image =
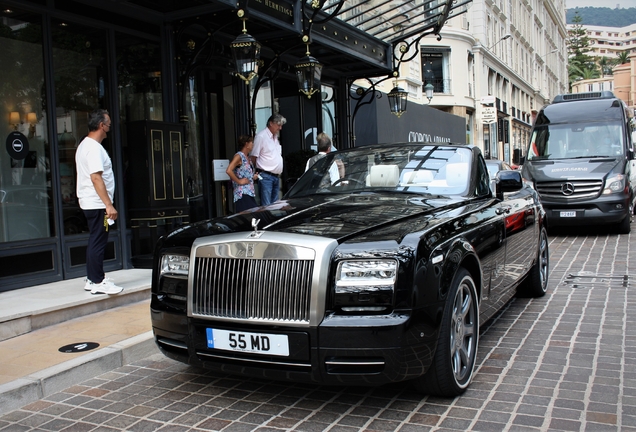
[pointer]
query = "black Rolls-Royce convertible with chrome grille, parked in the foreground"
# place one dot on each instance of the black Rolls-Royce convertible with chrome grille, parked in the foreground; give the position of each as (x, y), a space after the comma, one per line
(381, 273)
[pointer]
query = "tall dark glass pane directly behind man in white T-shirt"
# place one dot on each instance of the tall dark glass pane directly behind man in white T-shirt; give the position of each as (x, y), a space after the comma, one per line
(80, 86)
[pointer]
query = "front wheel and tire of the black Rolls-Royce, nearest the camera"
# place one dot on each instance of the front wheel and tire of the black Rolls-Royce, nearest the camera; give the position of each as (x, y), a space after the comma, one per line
(454, 360)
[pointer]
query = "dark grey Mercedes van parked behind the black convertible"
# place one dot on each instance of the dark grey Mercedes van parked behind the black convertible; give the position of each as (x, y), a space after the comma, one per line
(580, 160)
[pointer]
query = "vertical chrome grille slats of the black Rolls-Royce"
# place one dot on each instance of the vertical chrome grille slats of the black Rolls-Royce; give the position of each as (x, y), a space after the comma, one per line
(260, 289)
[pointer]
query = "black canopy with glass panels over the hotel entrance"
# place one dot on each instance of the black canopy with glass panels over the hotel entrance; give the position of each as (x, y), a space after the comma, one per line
(360, 41)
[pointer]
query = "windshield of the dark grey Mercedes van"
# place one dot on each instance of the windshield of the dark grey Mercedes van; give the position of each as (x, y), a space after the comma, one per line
(582, 140)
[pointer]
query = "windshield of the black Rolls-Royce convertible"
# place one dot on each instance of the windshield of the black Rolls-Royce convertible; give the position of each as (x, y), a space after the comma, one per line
(408, 168)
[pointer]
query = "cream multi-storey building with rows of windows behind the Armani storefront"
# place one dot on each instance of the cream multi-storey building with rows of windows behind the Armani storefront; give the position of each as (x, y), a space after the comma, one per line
(493, 66)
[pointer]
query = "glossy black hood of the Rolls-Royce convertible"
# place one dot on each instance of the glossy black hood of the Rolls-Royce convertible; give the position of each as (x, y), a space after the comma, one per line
(339, 217)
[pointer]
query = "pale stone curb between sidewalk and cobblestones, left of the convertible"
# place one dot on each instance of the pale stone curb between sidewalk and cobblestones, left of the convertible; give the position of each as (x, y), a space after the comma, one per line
(23, 391)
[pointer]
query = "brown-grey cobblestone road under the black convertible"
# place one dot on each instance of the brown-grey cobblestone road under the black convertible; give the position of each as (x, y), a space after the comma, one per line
(562, 362)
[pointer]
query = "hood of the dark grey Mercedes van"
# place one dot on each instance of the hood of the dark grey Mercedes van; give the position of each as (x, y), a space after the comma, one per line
(571, 169)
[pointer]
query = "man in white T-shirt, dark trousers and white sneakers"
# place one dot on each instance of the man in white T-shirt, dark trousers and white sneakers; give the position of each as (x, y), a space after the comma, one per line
(95, 191)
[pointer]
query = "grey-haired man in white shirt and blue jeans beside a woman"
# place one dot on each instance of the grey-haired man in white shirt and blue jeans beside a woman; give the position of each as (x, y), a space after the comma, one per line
(267, 157)
